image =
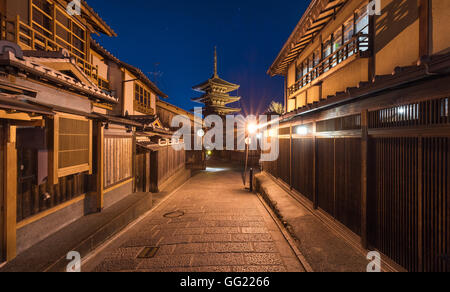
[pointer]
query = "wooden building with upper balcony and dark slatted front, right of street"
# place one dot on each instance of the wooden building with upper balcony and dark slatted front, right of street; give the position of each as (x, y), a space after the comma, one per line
(366, 138)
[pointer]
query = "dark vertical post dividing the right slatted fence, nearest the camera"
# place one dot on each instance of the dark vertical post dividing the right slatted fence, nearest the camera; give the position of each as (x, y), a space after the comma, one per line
(364, 178)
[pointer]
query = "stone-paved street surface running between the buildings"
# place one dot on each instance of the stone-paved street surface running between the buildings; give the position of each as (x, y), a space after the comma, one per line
(224, 229)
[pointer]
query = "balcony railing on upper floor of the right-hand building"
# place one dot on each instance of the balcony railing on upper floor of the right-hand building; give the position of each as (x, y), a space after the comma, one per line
(359, 43)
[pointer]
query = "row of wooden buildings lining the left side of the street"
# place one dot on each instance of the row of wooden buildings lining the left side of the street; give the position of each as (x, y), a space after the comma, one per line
(70, 116)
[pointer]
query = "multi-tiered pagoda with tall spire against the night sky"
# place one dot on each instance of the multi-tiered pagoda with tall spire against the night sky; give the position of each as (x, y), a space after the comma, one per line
(216, 94)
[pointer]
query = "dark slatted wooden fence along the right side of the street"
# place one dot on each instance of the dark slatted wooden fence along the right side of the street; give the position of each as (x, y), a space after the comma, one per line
(390, 186)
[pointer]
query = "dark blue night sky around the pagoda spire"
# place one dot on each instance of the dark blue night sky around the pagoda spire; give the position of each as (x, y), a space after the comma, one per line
(180, 35)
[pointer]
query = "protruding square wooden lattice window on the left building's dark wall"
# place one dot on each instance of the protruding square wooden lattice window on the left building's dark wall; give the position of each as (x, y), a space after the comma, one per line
(72, 145)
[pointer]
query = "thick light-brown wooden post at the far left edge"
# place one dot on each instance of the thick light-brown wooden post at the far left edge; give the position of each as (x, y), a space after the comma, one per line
(10, 193)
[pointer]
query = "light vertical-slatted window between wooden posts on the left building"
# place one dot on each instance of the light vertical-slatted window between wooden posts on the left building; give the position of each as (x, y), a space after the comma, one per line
(118, 160)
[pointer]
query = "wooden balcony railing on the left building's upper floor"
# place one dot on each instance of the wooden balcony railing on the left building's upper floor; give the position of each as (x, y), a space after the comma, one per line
(21, 33)
